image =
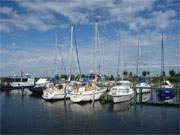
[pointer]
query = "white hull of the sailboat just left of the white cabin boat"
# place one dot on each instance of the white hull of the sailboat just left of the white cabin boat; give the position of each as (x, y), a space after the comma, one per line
(87, 95)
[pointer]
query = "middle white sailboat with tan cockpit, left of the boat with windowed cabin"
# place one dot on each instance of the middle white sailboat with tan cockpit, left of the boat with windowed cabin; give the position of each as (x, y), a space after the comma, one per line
(89, 91)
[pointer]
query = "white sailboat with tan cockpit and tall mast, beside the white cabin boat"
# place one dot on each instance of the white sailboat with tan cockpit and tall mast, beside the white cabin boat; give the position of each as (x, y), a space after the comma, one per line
(90, 91)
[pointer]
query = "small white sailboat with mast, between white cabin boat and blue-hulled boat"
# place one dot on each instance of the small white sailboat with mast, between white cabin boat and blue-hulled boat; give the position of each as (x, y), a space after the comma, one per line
(143, 84)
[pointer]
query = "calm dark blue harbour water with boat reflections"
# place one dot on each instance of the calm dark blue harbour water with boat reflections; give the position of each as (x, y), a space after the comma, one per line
(29, 114)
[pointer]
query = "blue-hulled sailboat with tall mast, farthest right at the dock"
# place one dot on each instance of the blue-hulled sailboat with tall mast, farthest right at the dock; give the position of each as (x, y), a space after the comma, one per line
(164, 83)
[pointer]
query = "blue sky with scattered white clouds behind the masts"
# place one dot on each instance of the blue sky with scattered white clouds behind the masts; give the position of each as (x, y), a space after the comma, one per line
(29, 28)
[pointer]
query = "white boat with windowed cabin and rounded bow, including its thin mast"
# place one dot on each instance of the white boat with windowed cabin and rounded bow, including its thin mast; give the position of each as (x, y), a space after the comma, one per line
(122, 91)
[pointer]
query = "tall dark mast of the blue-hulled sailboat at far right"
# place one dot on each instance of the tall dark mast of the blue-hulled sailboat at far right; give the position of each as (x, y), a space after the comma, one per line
(162, 59)
